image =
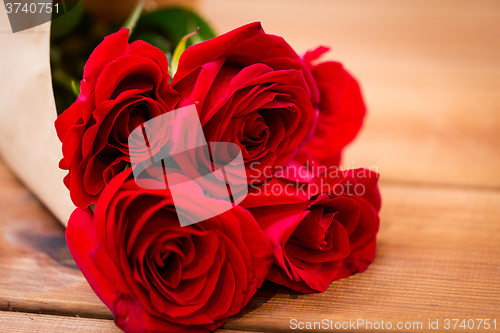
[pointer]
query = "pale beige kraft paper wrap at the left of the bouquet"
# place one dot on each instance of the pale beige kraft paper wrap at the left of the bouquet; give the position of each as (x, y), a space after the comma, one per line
(28, 141)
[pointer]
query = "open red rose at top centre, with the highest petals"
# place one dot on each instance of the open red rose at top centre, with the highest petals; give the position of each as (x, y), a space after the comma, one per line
(251, 89)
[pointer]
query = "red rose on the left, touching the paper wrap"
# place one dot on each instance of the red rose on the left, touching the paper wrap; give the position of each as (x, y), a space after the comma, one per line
(123, 86)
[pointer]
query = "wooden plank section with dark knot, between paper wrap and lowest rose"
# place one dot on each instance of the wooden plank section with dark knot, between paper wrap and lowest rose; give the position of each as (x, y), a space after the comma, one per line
(37, 272)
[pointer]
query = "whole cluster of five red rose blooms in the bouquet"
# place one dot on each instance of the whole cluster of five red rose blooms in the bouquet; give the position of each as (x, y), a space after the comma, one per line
(201, 173)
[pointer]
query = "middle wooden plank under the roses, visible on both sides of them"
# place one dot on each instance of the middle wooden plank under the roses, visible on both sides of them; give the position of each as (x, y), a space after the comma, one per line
(438, 257)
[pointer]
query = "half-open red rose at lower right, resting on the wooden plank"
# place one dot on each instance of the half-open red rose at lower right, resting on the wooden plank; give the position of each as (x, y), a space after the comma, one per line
(321, 230)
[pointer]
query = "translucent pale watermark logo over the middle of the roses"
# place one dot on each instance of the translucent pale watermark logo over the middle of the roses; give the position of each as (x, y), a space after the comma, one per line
(173, 147)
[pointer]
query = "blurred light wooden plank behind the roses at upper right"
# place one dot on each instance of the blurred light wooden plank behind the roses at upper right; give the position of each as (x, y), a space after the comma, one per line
(430, 73)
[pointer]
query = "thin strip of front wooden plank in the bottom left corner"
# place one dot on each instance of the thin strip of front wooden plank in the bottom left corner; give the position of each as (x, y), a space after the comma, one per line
(19, 322)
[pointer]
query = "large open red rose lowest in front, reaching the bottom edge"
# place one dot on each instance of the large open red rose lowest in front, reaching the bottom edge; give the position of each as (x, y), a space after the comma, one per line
(156, 276)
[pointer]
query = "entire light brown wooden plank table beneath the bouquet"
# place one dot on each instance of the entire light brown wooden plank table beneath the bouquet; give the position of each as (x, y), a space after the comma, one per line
(430, 72)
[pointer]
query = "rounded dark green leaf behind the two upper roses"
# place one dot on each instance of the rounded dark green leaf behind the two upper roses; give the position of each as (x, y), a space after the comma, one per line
(174, 23)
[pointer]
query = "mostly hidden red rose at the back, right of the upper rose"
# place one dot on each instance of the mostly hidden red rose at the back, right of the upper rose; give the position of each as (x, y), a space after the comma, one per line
(341, 112)
